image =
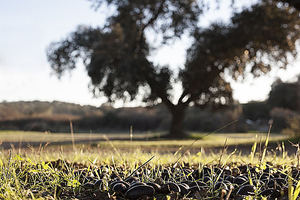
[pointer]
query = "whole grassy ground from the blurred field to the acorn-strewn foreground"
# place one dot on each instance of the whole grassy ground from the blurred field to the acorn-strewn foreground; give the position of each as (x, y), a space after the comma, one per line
(100, 166)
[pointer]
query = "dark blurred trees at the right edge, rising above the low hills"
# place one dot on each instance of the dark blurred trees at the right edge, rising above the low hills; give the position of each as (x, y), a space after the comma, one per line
(283, 106)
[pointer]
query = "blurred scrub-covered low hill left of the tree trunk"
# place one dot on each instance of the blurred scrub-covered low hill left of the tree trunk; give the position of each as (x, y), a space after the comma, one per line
(55, 117)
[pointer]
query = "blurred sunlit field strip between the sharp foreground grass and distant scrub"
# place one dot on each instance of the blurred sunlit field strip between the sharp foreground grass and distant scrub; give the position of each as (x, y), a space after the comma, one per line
(144, 142)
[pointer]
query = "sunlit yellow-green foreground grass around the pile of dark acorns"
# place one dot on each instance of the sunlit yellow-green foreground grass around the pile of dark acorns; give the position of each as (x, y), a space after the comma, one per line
(28, 174)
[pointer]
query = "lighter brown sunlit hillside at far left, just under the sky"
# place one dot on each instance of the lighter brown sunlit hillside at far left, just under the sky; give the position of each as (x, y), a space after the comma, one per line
(55, 110)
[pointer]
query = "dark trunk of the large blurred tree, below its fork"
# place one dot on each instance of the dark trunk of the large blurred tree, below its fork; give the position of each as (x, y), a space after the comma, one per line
(177, 126)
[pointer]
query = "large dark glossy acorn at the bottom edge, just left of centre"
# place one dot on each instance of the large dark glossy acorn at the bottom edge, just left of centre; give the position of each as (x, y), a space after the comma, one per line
(140, 191)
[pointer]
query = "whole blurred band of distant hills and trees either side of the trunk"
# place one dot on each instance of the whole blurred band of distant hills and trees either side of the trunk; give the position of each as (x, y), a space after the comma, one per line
(283, 106)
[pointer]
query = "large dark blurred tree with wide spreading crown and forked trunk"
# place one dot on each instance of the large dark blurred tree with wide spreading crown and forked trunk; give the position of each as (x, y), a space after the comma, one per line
(116, 55)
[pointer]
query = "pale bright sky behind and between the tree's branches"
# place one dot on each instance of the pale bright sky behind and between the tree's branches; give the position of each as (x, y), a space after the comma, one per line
(28, 27)
